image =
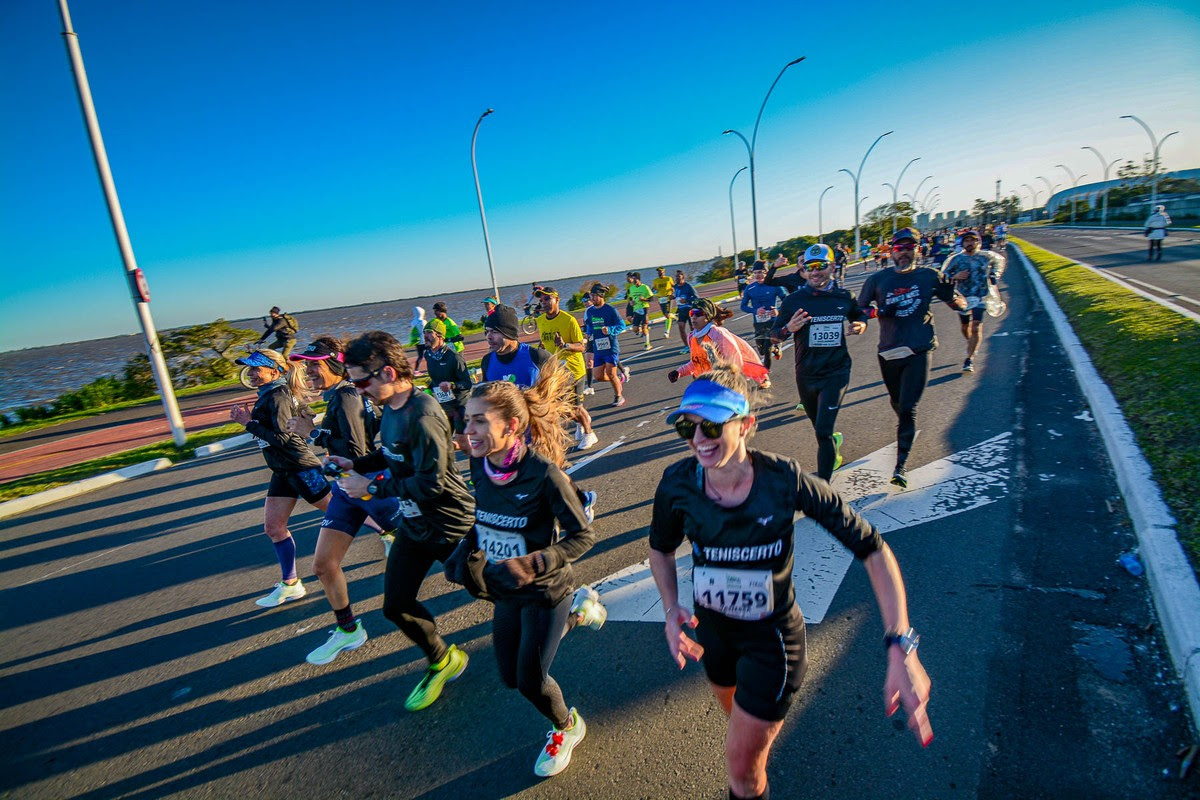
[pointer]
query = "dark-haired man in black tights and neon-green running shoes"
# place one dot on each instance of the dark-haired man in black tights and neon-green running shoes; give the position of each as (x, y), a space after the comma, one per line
(416, 466)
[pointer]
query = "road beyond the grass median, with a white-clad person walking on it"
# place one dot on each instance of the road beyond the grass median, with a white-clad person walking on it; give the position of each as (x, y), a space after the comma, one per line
(1124, 252)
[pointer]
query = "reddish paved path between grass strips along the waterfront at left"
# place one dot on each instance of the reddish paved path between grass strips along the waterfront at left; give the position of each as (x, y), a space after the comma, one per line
(106, 440)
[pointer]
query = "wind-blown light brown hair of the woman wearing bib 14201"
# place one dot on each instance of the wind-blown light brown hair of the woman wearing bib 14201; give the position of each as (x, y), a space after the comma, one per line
(542, 410)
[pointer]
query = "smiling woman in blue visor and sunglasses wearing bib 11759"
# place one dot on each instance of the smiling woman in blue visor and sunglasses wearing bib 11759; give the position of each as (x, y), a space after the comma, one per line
(736, 506)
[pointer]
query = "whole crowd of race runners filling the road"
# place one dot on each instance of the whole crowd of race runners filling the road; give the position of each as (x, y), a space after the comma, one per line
(509, 524)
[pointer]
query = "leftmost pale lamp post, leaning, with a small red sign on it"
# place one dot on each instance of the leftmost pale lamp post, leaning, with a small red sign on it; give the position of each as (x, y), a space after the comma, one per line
(139, 290)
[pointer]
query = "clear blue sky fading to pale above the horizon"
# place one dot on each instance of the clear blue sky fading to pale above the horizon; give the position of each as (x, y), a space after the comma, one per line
(316, 154)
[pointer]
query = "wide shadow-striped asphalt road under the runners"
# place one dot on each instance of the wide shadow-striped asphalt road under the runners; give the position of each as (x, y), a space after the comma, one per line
(137, 665)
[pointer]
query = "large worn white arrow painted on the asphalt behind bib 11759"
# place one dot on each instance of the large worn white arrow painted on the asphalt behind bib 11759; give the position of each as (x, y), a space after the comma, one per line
(968, 480)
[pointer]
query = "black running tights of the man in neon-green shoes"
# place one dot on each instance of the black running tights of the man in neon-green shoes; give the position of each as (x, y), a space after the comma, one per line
(407, 567)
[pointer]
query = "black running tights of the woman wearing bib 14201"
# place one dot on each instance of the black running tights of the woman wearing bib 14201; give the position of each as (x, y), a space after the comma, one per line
(526, 640)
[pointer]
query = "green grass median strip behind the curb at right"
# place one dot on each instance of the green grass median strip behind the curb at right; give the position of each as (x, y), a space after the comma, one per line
(1150, 358)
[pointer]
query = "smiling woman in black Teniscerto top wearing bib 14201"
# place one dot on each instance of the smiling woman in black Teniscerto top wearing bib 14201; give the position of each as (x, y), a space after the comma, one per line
(530, 527)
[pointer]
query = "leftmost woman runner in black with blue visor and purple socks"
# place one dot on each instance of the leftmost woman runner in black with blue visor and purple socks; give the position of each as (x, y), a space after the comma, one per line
(296, 471)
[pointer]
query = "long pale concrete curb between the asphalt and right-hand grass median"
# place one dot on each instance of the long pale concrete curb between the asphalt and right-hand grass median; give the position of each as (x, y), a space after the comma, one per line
(1173, 584)
